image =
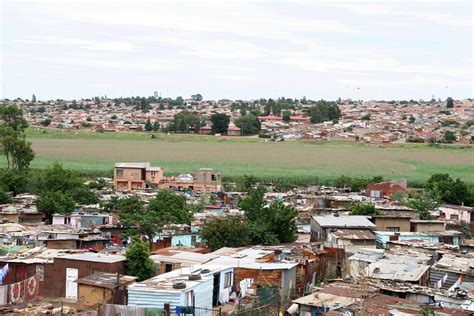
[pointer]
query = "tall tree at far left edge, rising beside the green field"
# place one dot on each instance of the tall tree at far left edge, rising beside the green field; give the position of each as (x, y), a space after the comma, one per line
(13, 144)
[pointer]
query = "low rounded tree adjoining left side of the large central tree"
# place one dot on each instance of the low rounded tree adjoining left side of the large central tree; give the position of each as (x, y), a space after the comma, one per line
(225, 232)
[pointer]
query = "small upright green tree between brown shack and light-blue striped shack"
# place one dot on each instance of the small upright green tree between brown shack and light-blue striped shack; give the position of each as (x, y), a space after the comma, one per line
(139, 263)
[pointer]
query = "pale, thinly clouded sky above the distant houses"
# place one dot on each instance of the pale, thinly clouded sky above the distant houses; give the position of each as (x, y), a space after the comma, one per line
(72, 49)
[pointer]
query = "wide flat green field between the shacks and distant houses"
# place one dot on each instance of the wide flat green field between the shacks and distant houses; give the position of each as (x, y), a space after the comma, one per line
(95, 153)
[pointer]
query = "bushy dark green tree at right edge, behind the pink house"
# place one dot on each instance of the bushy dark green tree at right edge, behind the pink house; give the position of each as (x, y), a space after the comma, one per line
(449, 190)
